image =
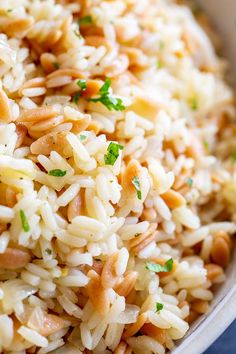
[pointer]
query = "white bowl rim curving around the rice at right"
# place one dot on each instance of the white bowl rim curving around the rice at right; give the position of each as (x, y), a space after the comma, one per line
(223, 309)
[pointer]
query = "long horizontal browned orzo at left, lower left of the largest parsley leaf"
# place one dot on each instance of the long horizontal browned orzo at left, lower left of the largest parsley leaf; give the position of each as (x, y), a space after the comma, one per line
(38, 114)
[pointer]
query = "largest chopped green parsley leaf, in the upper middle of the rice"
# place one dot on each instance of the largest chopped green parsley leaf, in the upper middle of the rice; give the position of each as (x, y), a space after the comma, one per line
(107, 99)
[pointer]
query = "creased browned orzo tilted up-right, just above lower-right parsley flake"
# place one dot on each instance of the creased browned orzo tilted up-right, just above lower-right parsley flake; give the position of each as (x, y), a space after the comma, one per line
(142, 240)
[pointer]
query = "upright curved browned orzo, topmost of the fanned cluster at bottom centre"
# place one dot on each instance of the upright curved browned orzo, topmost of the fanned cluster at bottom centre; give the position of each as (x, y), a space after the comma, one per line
(109, 278)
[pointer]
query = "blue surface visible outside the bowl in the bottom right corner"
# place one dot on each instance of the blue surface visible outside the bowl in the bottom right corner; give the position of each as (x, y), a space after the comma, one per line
(226, 344)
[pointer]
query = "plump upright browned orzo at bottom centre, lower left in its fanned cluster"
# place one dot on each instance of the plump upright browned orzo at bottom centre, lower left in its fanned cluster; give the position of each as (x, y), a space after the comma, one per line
(97, 294)
